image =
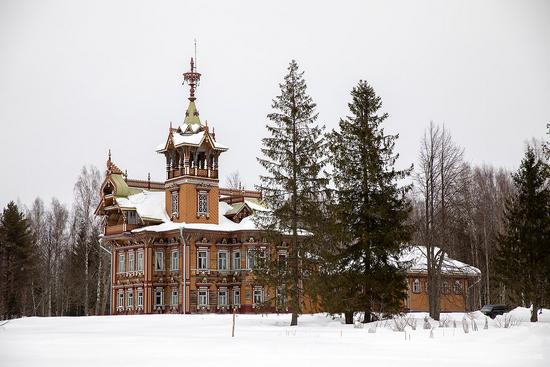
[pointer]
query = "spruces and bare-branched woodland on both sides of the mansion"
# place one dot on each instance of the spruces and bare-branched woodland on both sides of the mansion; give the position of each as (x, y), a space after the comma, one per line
(341, 200)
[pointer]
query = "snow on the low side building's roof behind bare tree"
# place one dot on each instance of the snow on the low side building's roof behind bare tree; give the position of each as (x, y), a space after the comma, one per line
(416, 256)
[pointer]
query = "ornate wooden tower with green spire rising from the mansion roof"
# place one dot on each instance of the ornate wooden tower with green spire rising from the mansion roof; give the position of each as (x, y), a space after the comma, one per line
(192, 162)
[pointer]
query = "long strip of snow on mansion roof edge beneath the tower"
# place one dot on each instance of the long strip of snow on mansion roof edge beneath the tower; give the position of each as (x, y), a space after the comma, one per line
(224, 224)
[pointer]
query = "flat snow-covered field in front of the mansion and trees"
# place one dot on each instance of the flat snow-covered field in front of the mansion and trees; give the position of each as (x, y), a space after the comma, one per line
(205, 340)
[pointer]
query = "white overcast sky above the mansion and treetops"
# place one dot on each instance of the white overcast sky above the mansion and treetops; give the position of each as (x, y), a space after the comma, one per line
(80, 77)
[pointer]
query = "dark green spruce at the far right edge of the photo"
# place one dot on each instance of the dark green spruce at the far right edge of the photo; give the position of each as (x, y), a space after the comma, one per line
(524, 246)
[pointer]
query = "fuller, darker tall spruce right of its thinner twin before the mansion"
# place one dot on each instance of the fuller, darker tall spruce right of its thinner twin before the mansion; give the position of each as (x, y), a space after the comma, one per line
(371, 210)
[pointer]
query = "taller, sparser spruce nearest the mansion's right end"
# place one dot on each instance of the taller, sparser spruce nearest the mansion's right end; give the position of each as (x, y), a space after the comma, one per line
(292, 186)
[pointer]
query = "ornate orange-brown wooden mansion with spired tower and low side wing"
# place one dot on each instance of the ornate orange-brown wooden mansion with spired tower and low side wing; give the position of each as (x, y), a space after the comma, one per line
(186, 245)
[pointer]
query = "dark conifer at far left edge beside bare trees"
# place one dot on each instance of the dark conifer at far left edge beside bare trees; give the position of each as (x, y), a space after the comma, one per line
(16, 244)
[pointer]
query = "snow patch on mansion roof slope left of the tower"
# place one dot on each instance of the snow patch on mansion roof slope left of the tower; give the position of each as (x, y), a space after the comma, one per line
(148, 204)
